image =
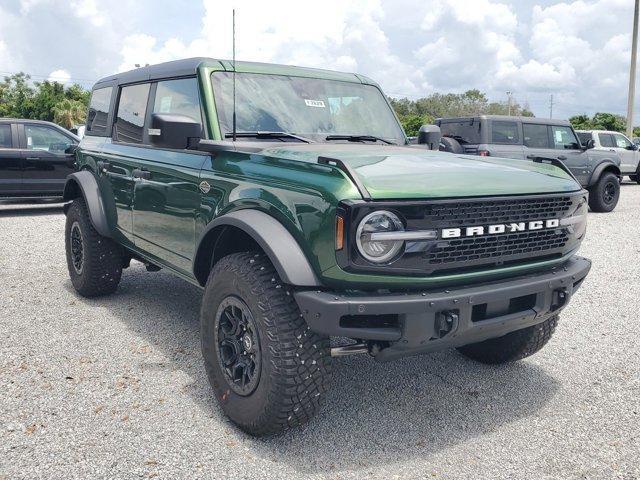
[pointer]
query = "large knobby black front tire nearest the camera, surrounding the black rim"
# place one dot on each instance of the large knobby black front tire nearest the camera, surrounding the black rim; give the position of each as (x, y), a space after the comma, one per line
(295, 364)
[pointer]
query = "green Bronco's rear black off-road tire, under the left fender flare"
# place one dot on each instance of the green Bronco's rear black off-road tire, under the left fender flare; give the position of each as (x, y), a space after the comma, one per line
(102, 258)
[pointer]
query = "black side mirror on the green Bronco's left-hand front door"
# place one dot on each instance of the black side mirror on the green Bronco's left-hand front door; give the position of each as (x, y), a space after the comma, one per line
(175, 131)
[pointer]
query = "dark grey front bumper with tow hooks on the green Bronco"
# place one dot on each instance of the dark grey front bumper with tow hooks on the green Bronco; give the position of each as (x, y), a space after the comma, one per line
(409, 324)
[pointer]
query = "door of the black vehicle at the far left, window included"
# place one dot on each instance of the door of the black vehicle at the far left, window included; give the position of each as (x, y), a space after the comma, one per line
(48, 157)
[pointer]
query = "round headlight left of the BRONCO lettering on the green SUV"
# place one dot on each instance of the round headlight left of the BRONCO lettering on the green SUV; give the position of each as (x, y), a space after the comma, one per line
(379, 250)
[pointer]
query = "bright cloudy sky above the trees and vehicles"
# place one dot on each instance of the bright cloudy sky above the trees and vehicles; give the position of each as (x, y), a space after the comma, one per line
(578, 51)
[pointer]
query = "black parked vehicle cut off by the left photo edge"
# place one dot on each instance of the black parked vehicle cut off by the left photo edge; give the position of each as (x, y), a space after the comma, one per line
(35, 158)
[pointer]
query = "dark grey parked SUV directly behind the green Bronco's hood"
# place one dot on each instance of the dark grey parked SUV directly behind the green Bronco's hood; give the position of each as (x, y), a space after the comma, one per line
(531, 138)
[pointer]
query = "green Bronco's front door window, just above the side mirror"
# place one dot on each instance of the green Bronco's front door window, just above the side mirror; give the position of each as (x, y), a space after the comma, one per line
(178, 97)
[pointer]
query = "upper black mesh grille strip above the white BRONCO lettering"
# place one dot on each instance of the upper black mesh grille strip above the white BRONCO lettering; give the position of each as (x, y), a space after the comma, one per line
(496, 211)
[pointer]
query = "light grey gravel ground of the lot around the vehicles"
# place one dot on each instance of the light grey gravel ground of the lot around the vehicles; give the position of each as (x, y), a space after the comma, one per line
(115, 387)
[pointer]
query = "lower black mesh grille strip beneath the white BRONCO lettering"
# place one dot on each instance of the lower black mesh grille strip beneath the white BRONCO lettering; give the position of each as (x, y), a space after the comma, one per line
(498, 246)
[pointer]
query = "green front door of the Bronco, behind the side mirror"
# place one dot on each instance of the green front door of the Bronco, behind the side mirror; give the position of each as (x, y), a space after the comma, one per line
(167, 196)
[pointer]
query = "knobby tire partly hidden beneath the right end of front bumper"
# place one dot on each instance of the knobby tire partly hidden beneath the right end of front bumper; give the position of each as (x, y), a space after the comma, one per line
(512, 346)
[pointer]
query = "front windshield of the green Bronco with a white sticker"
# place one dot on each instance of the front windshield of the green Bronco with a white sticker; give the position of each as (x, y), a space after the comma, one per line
(308, 107)
